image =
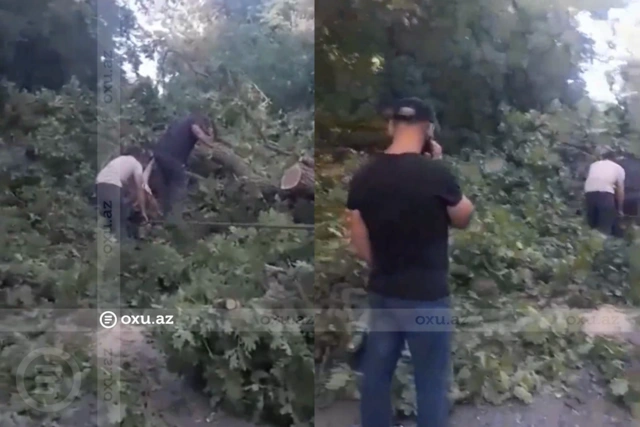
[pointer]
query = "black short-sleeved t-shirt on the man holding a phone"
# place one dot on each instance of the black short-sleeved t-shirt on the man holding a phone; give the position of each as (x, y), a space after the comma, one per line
(403, 200)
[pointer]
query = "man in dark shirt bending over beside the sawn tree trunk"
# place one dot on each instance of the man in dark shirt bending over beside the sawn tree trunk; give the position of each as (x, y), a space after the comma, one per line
(172, 152)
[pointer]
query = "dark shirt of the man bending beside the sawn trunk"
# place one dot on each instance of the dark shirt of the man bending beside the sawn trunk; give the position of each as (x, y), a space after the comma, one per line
(178, 141)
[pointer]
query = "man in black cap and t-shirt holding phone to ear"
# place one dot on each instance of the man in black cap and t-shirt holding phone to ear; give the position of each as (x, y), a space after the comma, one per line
(401, 205)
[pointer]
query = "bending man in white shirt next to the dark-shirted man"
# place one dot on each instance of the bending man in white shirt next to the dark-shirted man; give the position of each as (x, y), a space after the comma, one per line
(122, 175)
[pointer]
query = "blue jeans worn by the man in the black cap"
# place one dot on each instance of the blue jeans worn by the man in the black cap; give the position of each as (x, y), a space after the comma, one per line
(394, 322)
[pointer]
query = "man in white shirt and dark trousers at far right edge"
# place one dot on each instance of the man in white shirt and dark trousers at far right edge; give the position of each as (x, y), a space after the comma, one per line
(604, 194)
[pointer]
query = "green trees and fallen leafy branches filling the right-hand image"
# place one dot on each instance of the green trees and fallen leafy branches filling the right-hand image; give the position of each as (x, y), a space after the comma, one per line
(519, 135)
